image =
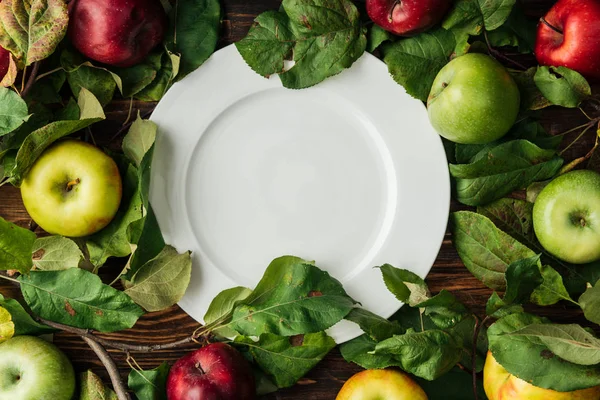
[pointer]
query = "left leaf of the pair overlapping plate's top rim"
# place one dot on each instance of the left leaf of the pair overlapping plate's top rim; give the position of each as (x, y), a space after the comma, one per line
(268, 43)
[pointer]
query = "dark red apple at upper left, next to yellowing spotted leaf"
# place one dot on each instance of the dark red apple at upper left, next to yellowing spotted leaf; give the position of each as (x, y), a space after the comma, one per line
(116, 32)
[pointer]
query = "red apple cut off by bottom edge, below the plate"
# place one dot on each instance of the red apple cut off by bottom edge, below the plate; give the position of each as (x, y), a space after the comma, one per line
(215, 372)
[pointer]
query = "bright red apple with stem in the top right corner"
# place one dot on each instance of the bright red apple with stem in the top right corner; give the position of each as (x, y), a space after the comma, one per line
(569, 36)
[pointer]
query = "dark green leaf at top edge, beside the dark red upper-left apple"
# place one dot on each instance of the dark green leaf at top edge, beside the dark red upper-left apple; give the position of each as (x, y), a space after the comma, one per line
(193, 32)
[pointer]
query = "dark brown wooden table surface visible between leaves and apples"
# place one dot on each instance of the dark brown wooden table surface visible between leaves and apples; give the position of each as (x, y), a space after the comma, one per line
(326, 379)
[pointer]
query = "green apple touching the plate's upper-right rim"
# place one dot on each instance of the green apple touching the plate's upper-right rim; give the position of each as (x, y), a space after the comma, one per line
(473, 100)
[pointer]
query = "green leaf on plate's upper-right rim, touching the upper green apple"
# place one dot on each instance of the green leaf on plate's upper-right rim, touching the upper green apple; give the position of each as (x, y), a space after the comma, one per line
(415, 62)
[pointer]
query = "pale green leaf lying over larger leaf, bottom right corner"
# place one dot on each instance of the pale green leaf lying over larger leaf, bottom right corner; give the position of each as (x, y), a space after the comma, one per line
(569, 342)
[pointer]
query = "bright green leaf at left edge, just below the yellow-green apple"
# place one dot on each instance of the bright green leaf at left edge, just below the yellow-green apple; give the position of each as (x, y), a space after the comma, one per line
(15, 247)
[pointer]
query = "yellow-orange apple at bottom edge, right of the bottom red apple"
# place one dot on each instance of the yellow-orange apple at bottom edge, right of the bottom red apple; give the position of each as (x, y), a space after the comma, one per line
(378, 384)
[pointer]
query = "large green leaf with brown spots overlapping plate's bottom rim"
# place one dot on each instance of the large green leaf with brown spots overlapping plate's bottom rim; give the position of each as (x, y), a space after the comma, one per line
(293, 297)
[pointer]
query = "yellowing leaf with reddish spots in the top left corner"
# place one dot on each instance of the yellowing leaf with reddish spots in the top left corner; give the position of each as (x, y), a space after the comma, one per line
(31, 30)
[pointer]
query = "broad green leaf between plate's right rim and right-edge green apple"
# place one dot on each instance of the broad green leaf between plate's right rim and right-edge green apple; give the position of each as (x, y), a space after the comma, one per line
(485, 250)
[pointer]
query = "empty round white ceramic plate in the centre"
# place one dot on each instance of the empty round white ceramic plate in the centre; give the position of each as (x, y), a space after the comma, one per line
(348, 173)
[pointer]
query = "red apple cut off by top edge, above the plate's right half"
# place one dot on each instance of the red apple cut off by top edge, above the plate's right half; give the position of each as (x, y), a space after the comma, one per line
(407, 17)
